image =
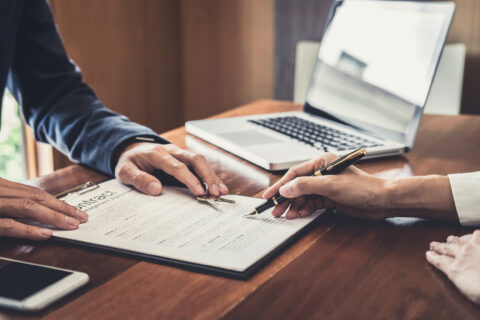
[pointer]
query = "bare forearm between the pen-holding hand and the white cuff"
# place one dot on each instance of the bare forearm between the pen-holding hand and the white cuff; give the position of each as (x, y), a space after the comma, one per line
(427, 197)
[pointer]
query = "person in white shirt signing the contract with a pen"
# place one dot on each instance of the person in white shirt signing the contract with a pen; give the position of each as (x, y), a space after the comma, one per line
(454, 198)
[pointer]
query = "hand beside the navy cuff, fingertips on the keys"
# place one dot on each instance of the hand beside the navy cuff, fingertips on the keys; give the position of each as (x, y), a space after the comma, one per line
(138, 161)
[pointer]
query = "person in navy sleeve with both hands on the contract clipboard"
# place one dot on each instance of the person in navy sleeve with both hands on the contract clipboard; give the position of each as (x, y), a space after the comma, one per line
(64, 111)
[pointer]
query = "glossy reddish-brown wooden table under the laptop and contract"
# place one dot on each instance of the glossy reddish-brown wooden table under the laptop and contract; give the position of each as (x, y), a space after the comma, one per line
(342, 268)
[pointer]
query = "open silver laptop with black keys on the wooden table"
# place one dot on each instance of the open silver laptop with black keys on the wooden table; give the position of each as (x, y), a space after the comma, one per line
(374, 71)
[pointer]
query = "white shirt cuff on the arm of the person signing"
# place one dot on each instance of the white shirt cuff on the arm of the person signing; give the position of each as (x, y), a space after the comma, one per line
(466, 194)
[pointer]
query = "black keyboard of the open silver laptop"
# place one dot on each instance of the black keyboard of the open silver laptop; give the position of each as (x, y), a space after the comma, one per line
(313, 134)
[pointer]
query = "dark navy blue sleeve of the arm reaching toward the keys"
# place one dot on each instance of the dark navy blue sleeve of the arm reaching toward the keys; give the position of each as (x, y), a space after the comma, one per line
(61, 109)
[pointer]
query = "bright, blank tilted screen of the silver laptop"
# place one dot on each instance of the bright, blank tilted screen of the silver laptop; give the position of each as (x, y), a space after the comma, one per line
(376, 64)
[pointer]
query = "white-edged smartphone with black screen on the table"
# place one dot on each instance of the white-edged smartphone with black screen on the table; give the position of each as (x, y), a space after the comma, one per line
(30, 287)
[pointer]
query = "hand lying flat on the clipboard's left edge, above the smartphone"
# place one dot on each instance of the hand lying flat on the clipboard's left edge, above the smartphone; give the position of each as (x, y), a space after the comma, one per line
(19, 201)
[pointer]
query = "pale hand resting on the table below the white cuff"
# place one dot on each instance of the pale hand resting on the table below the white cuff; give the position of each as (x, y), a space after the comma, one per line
(459, 259)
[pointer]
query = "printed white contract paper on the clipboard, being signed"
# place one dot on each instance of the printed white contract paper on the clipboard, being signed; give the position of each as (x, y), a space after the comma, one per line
(175, 227)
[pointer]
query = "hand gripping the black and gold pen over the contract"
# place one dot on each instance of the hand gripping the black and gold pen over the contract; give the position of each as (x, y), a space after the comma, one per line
(353, 192)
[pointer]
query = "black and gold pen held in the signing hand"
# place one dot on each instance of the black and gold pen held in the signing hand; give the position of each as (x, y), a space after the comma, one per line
(335, 167)
